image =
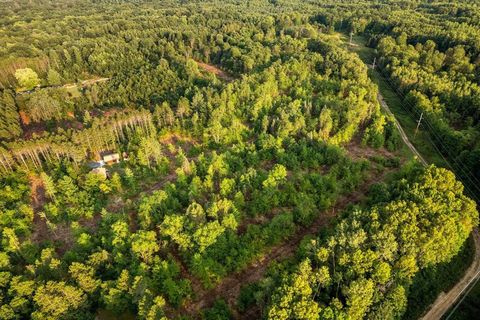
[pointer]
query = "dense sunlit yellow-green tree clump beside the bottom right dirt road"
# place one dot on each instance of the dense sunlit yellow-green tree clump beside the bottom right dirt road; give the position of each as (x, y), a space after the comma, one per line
(364, 268)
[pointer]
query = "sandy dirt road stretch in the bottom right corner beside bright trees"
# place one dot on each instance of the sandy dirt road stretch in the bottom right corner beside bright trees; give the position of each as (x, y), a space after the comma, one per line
(446, 300)
